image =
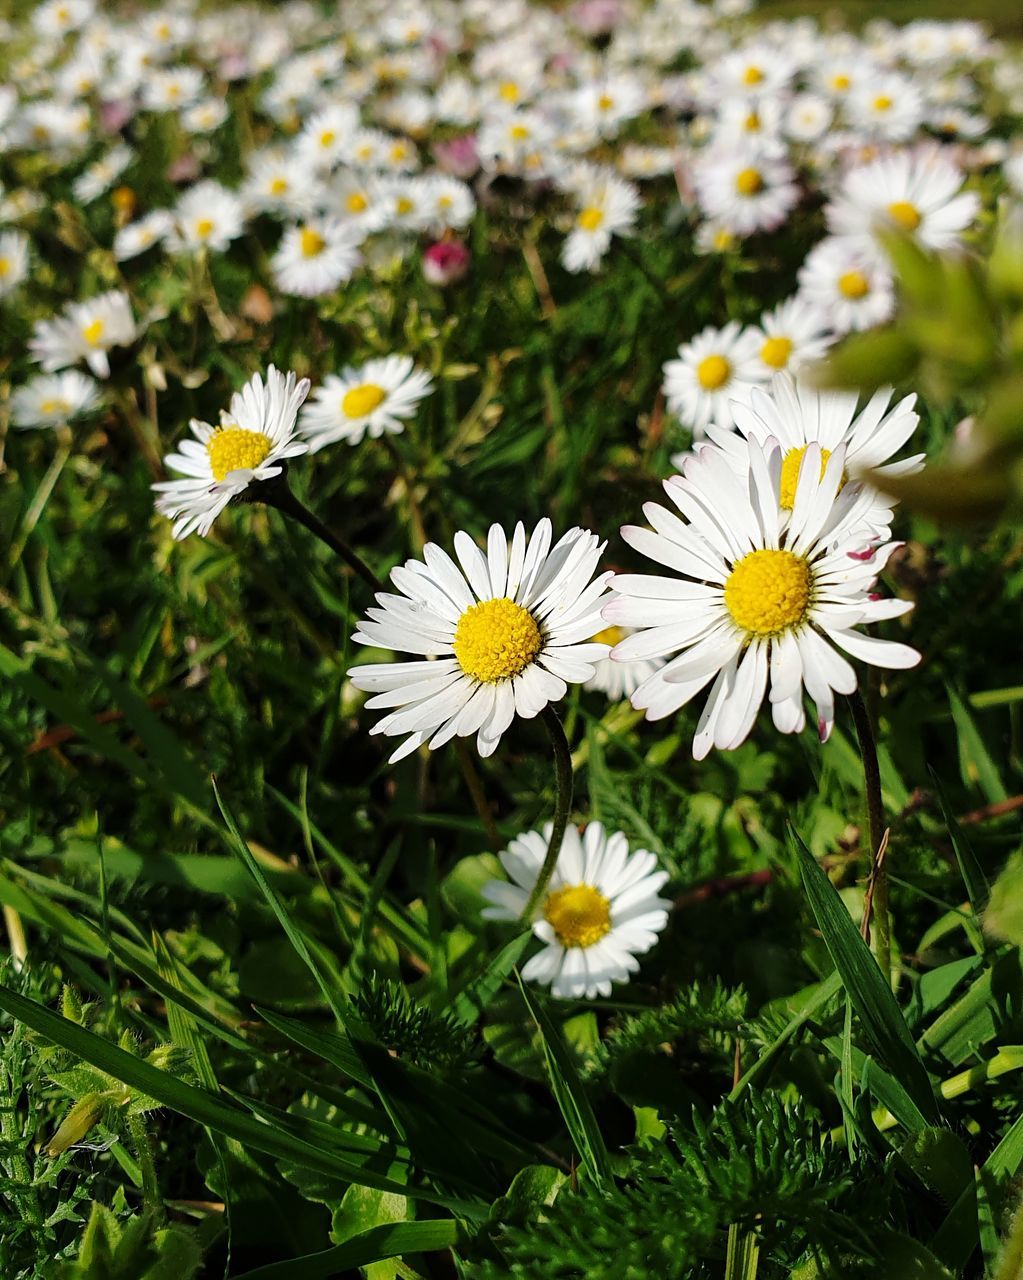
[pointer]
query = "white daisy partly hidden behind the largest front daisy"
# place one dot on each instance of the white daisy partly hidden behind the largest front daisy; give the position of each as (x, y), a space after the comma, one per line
(794, 415)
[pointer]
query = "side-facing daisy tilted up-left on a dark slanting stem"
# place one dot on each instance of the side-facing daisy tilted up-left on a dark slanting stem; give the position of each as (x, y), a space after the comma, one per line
(255, 438)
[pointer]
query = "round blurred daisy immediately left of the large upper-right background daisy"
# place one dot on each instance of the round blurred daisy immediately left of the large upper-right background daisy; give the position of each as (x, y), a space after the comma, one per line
(746, 190)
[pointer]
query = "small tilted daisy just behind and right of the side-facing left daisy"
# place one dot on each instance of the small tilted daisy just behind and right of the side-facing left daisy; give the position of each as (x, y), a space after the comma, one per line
(380, 396)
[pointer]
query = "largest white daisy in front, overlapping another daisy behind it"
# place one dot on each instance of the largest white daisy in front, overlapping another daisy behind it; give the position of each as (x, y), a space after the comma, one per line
(757, 596)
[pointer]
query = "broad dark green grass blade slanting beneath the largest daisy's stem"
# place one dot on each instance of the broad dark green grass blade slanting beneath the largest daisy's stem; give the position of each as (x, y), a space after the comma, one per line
(876, 1008)
